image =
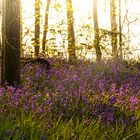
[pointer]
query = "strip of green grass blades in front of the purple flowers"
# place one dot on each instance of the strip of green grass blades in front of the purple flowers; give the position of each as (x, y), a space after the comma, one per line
(32, 127)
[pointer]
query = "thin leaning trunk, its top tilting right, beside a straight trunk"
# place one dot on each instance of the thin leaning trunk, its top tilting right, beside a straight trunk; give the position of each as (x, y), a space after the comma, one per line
(45, 26)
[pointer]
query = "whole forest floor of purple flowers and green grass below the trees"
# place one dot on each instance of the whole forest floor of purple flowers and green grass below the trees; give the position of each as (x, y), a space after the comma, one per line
(80, 101)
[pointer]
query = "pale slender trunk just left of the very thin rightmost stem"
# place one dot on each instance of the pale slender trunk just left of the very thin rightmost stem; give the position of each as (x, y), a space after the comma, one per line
(113, 27)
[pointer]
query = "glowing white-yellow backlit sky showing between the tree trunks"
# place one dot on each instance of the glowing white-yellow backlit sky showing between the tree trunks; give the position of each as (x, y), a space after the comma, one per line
(83, 12)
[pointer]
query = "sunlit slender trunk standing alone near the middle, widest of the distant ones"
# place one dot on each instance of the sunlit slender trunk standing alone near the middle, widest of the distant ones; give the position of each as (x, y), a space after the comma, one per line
(71, 35)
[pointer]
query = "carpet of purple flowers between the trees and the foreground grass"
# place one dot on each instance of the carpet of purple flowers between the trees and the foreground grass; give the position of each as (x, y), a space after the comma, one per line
(86, 90)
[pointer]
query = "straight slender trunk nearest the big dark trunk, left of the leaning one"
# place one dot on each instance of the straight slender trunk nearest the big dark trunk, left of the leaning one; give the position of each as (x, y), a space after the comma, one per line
(37, 27)
